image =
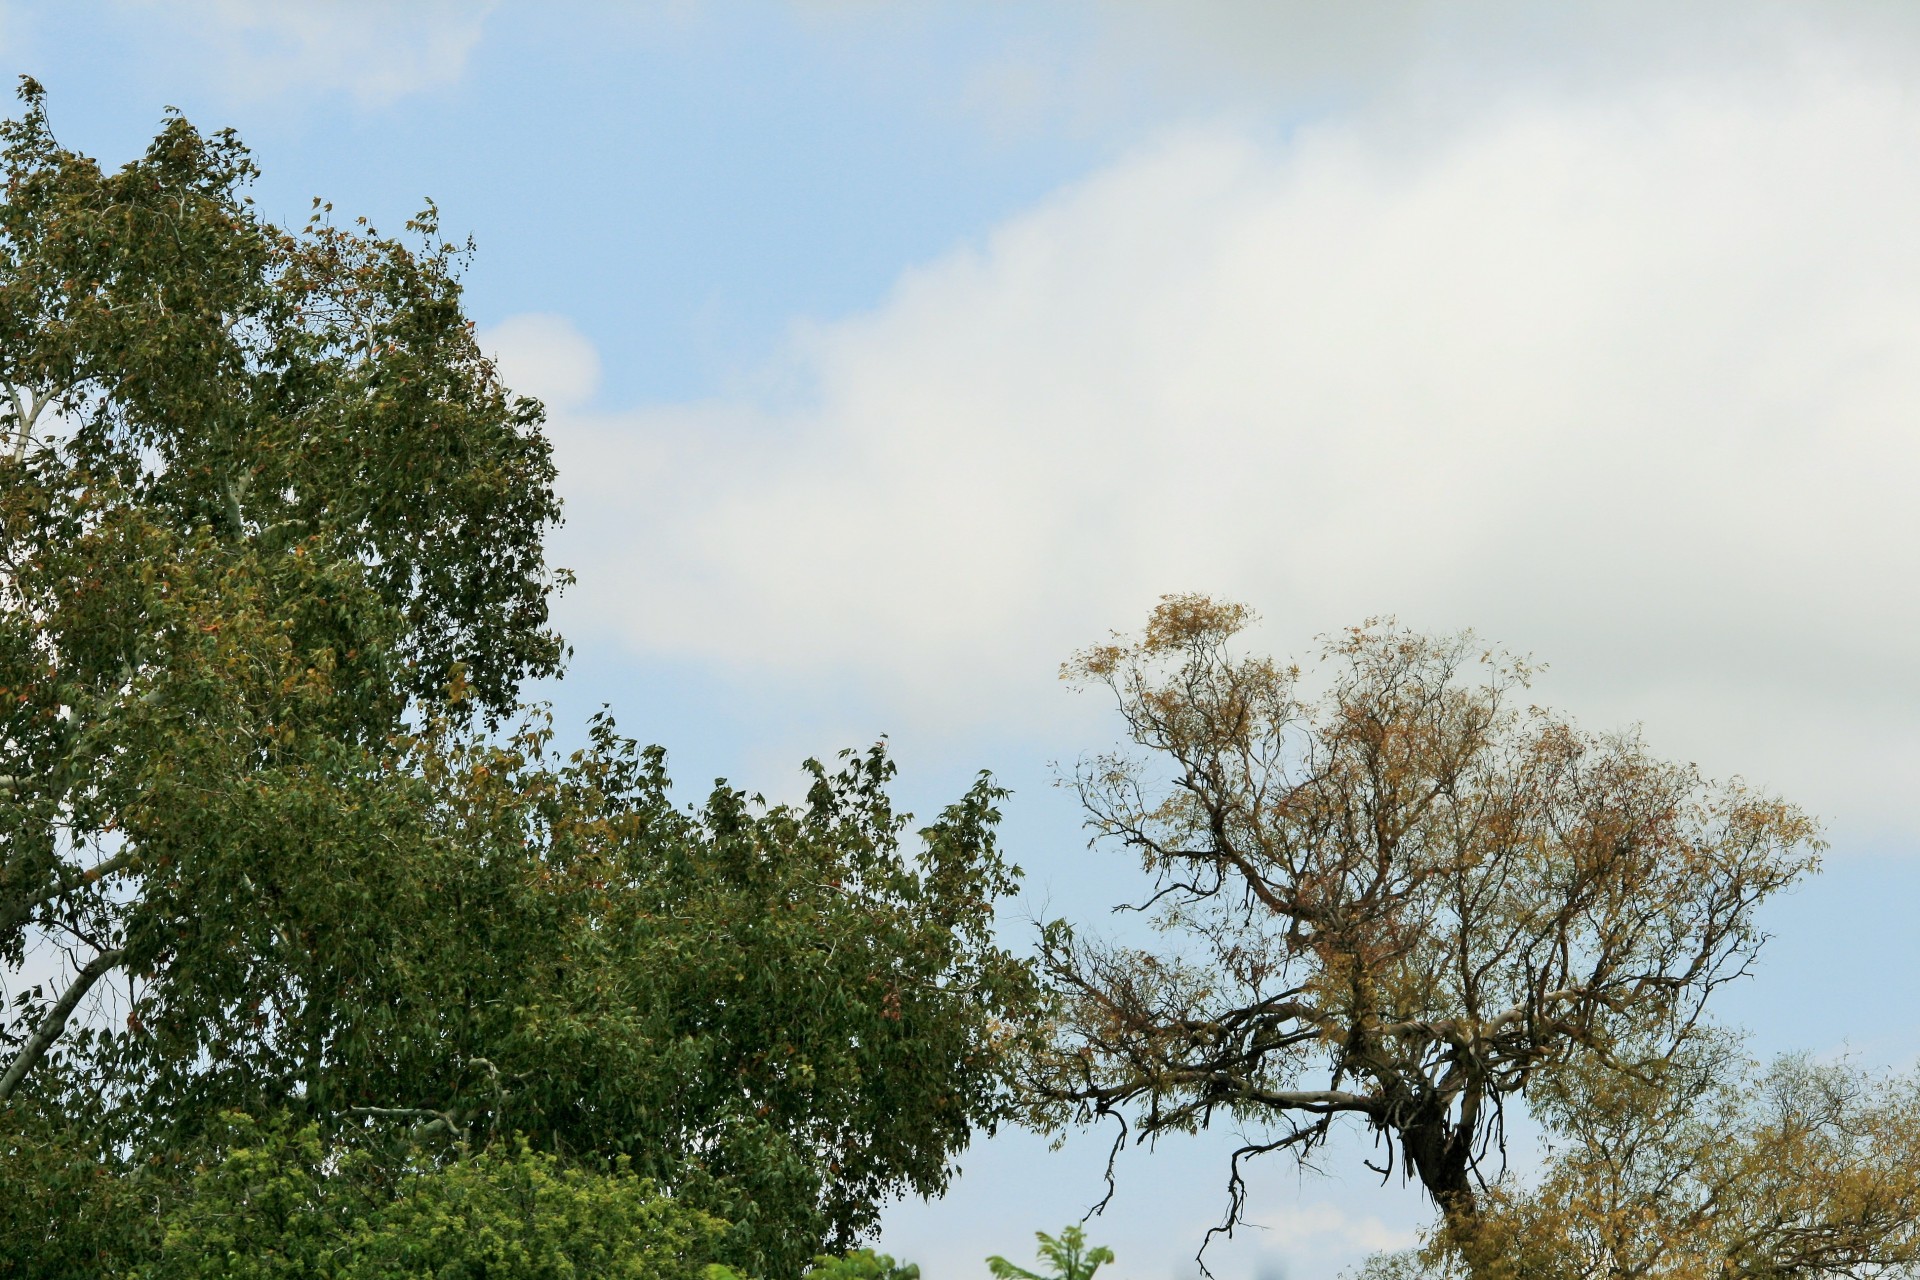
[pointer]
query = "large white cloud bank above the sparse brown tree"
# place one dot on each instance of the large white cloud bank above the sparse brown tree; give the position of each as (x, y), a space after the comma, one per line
(1623, 379)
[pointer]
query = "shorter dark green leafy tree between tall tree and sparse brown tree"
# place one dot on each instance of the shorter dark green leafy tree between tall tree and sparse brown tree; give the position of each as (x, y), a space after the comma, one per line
(780, 1012)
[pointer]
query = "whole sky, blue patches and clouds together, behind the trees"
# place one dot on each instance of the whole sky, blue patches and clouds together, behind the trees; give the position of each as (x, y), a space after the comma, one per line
(898, 350)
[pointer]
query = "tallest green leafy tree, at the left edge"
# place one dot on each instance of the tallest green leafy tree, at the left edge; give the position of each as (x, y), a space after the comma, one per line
(262, 498)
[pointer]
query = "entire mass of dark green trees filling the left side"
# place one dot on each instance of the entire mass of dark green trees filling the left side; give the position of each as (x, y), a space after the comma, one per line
(279, 840)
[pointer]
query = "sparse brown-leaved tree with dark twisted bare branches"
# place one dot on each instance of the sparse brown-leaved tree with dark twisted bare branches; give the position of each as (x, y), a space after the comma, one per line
(1403, 901)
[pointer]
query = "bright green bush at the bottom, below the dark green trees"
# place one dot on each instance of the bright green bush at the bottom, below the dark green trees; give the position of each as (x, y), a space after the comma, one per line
(277, 1206)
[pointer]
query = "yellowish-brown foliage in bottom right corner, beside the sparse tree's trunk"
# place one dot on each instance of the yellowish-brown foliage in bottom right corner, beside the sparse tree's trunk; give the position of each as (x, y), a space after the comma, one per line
(1716, 1172)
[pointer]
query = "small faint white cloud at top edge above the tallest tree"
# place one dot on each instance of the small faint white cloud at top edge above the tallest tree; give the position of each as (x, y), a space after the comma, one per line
(373, 51)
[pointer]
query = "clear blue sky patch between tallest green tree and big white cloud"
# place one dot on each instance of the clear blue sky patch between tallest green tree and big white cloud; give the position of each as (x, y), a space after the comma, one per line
(679, 185)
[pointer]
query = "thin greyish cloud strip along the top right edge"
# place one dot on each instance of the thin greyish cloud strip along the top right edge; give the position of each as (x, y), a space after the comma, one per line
(1107, 68)
